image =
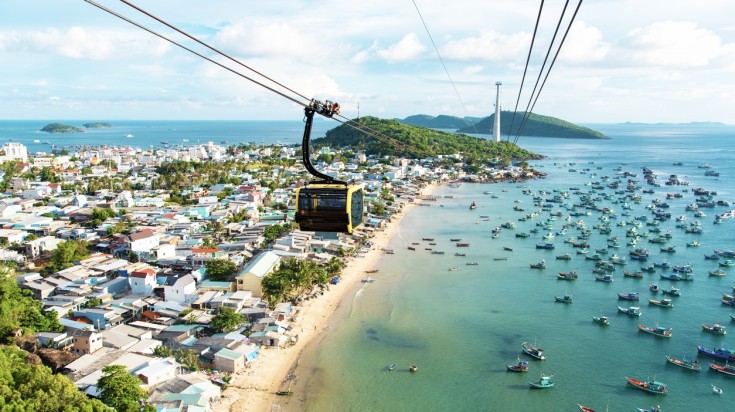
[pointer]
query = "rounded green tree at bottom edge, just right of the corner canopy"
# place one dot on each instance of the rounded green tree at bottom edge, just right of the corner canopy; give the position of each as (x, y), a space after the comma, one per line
(120, 389)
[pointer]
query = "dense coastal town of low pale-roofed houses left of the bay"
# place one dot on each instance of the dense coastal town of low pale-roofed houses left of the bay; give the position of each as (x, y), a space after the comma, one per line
(151, 263)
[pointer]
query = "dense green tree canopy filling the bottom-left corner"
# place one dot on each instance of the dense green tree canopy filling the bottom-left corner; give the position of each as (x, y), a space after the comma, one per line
(27, 387)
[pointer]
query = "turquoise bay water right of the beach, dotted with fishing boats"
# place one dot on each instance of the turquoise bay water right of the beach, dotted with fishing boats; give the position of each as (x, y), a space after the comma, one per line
(463, 327)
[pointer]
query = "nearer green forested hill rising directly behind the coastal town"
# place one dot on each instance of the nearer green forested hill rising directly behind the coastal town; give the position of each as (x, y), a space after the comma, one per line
(397, 139)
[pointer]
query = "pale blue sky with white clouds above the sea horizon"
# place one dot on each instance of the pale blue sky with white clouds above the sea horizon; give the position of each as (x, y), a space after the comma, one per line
(646, 61)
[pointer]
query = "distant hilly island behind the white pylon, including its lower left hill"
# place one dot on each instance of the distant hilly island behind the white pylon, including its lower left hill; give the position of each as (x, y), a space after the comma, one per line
(536, 125)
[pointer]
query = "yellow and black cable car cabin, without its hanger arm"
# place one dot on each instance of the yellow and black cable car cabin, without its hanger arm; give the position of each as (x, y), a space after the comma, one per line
(329, 207)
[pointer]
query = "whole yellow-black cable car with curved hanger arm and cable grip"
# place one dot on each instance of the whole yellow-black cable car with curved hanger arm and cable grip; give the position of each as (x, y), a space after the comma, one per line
(327, 204)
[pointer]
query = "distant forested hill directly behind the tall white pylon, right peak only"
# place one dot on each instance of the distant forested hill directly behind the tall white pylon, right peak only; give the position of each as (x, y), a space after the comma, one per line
(537, 125)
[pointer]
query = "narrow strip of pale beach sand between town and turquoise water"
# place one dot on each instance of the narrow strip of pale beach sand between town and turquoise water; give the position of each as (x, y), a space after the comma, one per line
(254, 389)
